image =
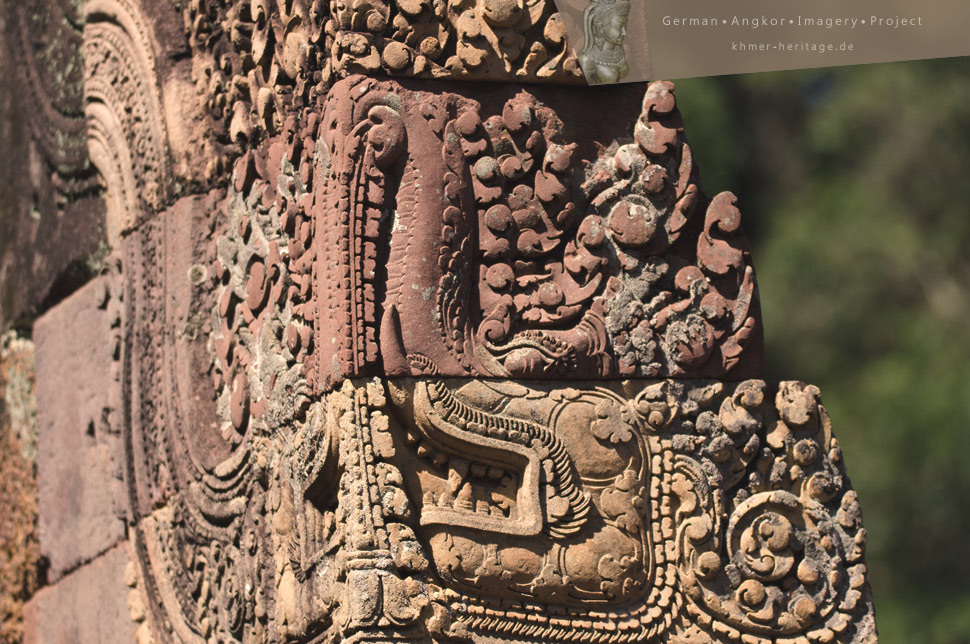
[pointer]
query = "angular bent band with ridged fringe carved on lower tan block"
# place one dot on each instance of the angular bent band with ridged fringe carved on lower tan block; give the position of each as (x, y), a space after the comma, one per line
(533, 450)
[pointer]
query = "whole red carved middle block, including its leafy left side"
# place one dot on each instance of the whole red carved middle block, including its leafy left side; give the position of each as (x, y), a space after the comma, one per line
(409, 232)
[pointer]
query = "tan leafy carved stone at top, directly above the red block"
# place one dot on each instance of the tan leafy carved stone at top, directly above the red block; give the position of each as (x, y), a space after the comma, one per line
(257, 63)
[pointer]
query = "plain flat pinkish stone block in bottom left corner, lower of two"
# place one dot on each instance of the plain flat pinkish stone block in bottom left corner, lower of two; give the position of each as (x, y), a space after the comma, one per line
(88, 605)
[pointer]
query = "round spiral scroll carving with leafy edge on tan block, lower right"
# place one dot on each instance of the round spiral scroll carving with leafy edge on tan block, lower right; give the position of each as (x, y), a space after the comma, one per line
(787, 560)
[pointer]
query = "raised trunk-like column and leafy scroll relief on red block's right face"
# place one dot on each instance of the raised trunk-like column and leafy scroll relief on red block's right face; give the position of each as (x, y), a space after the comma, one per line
(616, 266)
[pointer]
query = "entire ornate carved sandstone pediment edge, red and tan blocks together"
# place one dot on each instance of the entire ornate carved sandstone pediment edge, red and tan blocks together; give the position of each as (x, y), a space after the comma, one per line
(412, 359)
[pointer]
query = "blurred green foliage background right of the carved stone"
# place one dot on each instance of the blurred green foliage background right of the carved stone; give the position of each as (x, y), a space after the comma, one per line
(855, 188)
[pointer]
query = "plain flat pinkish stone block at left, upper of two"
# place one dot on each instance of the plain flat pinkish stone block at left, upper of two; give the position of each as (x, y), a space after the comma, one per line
(78, 427)
